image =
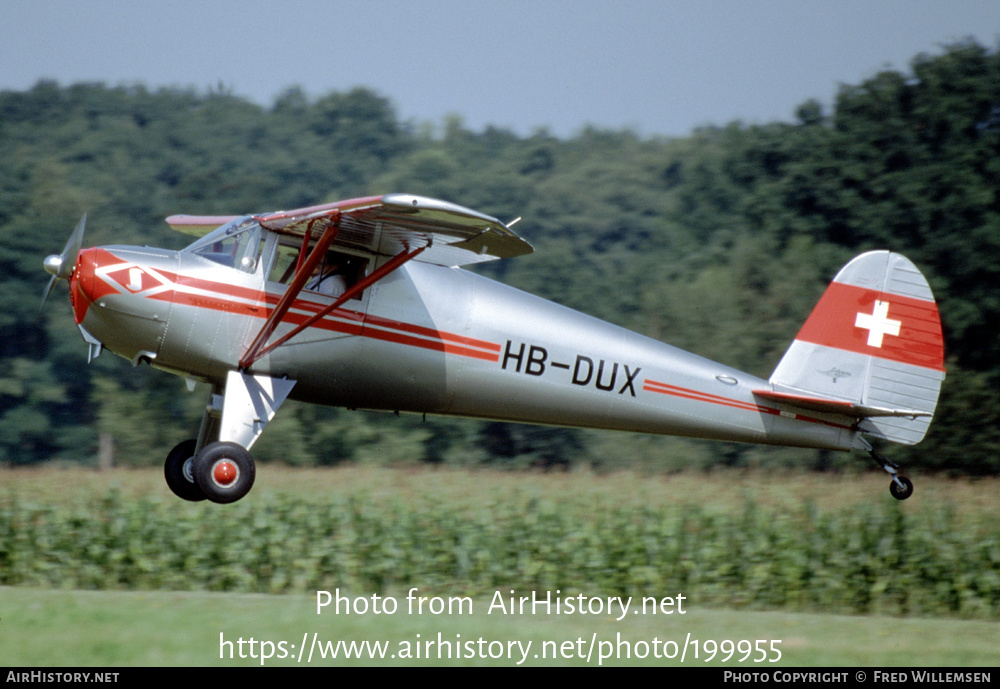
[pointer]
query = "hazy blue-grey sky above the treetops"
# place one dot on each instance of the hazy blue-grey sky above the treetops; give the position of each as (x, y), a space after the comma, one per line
(657, 67)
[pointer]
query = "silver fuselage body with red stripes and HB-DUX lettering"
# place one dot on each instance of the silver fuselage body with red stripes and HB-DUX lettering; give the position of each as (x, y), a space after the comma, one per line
(429, 339)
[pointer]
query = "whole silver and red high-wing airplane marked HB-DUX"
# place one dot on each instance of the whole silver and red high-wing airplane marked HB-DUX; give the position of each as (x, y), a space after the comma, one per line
(362, 304)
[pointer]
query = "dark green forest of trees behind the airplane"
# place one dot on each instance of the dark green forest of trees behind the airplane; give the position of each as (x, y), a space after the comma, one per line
(719, 242)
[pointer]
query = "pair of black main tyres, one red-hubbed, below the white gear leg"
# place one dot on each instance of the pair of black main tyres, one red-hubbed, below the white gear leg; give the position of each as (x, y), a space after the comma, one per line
(223, 472)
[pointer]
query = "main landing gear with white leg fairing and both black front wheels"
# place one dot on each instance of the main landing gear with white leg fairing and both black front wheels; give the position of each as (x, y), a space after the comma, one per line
(217, 465)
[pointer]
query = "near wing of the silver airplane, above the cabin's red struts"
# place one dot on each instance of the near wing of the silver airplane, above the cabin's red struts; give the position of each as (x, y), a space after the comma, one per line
(396, 223)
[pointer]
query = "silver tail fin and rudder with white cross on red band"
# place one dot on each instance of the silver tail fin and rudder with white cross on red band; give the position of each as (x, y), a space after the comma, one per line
(873, 341)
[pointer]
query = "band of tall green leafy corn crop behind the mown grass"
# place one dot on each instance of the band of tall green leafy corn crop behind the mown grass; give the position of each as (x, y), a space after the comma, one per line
(872, 559)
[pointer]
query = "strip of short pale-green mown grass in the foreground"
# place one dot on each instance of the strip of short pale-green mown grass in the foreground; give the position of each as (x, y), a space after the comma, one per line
(128, 628)
